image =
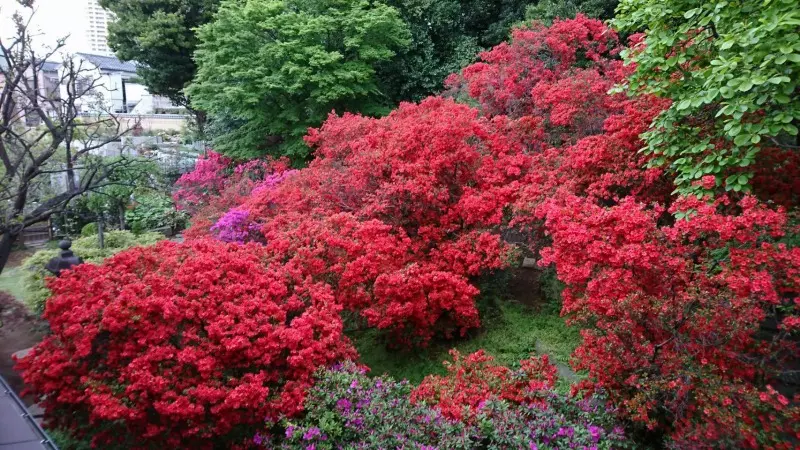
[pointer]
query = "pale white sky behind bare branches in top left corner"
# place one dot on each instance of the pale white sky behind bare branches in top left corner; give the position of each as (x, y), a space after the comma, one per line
(53, 19)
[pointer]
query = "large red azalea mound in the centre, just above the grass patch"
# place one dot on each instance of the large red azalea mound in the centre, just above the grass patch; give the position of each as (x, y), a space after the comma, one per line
(398, 214)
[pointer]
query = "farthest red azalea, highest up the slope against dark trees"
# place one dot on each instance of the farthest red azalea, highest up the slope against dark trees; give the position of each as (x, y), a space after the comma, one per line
(555, 79)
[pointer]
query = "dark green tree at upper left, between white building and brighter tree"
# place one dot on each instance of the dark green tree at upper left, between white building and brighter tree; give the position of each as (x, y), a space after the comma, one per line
(160, 35)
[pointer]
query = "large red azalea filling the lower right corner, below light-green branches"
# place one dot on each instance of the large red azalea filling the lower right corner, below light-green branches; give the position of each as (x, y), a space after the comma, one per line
(674, 315)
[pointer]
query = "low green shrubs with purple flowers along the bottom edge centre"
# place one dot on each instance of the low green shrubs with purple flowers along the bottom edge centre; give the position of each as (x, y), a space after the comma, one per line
(347, 409)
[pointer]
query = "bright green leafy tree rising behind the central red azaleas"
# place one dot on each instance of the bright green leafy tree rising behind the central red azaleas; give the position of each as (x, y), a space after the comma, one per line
(272, 68)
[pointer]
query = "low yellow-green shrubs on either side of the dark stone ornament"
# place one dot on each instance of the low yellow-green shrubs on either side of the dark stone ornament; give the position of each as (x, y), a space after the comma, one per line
(88, 248)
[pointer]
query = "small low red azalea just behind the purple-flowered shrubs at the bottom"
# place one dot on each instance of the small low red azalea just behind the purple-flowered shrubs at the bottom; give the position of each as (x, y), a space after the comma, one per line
(474, 379)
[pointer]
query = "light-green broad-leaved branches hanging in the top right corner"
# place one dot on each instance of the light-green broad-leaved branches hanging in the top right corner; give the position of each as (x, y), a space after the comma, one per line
(732, 70)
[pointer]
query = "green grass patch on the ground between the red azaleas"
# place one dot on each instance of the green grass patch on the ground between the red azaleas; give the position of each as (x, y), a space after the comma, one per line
(510, 333)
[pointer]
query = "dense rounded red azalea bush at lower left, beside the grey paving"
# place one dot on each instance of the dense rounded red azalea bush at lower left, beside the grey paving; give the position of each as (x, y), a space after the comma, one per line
(181, 345)
